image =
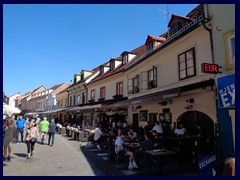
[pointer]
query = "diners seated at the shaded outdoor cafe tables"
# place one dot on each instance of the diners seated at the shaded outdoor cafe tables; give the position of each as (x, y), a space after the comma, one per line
(150, 137)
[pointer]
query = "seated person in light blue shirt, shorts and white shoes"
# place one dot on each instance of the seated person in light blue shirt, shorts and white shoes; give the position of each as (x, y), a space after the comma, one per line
(119, 149)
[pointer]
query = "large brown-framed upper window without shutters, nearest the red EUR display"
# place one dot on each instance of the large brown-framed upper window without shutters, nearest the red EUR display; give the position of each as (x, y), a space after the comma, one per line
(187, 64)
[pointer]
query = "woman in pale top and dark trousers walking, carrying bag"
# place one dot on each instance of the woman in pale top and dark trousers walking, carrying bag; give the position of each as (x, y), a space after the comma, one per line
(31, 138)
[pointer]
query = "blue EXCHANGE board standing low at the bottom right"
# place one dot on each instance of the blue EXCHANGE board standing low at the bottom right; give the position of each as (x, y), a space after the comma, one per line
(207, 165)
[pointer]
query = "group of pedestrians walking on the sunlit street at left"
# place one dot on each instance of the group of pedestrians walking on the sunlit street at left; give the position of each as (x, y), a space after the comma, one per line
(29, 131)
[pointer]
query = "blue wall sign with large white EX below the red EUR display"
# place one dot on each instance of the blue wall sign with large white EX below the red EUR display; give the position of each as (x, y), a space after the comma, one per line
(226, 91)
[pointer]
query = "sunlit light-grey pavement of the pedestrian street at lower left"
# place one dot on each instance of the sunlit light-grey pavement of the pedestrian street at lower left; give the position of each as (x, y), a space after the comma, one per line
(63, 159)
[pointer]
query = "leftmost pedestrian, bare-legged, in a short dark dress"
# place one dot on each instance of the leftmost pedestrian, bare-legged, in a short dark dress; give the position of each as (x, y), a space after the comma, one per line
(9, 135)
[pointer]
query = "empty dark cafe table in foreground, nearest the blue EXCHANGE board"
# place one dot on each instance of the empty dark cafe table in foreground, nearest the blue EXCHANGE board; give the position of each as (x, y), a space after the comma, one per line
(159, 154)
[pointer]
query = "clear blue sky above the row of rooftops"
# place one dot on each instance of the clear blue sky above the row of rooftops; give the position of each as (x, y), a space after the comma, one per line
(48, 44)
